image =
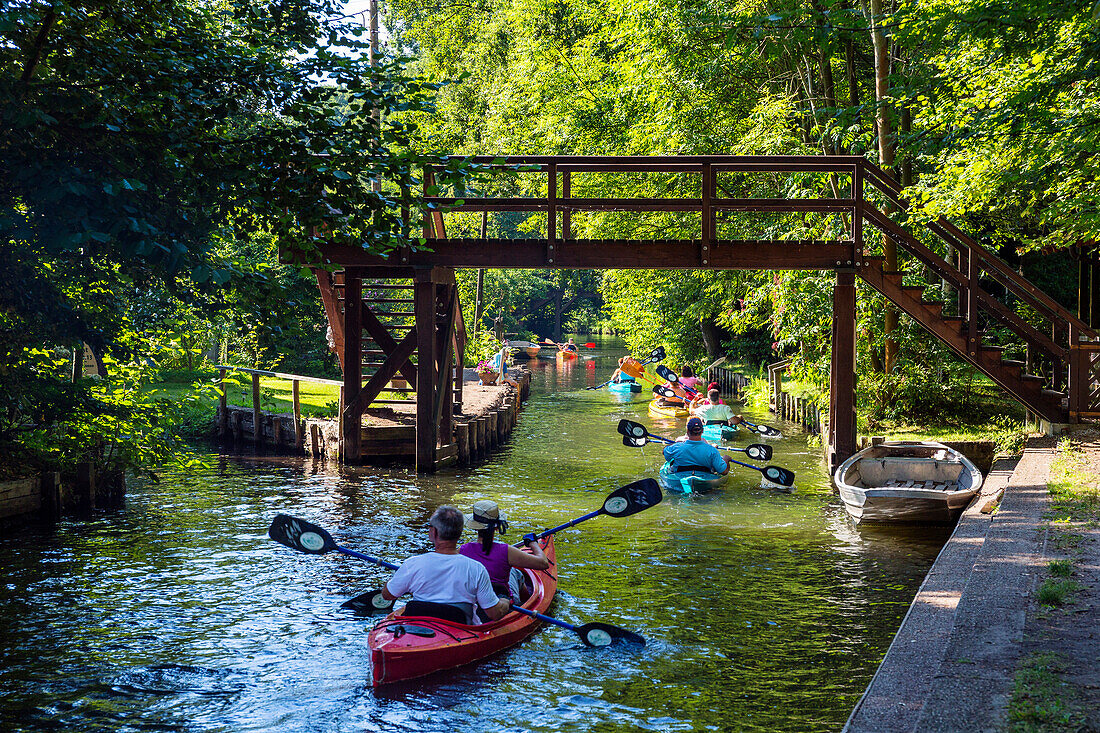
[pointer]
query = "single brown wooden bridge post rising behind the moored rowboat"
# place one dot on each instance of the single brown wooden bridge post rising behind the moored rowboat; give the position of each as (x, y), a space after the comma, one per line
(842, 420)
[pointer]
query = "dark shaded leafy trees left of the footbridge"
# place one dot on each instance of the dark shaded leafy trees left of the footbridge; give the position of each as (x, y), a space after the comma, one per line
(153, 156)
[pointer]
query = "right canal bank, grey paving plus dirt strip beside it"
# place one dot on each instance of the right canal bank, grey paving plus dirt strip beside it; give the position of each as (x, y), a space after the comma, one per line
(964, 655)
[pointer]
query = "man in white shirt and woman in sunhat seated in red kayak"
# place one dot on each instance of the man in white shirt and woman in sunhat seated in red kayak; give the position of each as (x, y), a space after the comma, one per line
(470, 585)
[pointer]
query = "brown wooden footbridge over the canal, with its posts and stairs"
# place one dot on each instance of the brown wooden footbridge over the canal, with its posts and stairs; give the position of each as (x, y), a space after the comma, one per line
(1058, 381)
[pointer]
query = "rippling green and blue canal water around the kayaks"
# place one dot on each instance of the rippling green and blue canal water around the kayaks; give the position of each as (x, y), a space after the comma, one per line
(763, 611)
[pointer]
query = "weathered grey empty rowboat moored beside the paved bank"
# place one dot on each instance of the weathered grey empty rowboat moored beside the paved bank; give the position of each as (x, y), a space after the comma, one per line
(908, 482)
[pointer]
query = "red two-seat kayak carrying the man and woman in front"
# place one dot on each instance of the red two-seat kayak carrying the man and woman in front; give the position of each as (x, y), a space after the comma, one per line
(405, 648)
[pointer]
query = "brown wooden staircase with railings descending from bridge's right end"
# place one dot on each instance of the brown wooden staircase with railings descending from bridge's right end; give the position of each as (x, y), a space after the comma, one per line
(1059, 379)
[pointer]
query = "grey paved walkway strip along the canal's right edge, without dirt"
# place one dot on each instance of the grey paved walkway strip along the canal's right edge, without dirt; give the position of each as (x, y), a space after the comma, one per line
(952, 665)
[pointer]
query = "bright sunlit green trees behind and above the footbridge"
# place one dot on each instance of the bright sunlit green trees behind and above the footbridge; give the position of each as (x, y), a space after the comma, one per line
(986, 115)
